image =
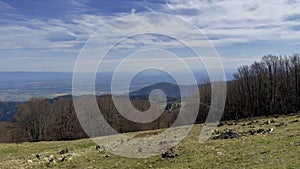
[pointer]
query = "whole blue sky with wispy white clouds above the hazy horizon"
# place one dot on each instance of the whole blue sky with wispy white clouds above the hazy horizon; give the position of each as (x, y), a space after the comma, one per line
(48, 35)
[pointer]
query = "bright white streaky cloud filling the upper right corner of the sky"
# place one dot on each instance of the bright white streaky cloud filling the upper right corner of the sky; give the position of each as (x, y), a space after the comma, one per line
(238, 21)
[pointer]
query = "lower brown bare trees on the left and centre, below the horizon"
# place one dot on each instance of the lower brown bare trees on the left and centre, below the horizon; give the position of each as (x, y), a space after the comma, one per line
(40, 120)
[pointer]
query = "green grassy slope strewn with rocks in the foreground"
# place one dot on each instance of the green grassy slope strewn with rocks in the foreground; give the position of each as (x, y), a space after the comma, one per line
(279, 149)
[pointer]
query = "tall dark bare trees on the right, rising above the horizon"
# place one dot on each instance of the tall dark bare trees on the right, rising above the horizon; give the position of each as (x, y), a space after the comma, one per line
(267, 87)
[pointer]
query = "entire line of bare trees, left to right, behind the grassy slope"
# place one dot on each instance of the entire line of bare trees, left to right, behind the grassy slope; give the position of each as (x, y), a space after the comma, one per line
(268, 87)
